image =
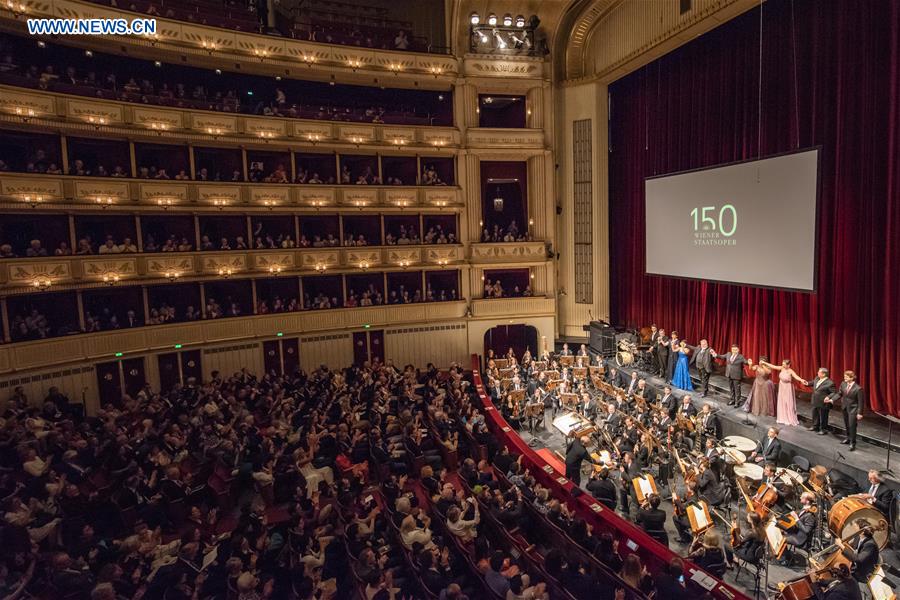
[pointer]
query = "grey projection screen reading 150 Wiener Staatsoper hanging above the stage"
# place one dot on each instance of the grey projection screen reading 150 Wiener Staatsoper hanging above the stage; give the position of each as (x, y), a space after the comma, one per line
(749, 223)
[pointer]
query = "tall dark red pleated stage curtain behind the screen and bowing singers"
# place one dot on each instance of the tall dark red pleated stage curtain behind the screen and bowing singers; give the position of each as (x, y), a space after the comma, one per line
(830, 77)
